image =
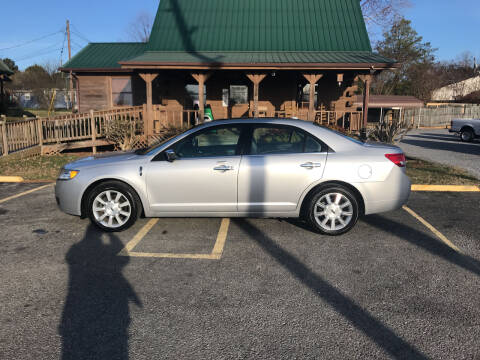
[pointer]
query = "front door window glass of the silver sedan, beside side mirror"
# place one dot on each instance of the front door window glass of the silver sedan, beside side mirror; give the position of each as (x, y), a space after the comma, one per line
(211, 142)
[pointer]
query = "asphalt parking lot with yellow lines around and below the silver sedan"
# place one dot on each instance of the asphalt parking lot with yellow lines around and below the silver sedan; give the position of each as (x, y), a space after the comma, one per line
(394, 287)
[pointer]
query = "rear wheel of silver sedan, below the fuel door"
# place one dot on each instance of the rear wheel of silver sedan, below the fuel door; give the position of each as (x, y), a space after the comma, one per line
(332, 210)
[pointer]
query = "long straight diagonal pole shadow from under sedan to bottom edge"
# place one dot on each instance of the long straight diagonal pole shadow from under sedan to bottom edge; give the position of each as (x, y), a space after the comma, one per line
(361, 319)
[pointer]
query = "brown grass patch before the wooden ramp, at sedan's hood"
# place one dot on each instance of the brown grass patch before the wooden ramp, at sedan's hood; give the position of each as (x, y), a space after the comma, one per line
(37, 168)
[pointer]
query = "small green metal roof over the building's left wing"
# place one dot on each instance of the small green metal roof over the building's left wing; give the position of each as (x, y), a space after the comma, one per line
(104, 55)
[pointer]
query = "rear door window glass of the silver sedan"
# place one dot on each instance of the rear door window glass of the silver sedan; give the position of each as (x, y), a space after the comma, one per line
(273, 140)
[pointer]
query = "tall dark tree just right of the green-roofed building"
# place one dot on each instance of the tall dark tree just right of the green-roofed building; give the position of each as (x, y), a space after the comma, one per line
(416, 58)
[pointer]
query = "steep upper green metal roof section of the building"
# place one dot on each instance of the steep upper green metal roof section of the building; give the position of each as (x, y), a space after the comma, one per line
(259, 25)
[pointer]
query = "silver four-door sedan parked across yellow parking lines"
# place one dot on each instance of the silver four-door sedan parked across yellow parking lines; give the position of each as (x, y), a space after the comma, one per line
(279, 168)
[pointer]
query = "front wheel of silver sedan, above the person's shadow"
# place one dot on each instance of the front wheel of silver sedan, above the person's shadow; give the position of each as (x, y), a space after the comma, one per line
(113, 206)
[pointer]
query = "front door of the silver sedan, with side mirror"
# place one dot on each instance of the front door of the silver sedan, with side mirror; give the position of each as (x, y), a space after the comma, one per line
(203, 178)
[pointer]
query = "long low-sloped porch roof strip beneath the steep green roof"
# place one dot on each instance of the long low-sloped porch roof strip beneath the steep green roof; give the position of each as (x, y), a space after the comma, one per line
(260, 57)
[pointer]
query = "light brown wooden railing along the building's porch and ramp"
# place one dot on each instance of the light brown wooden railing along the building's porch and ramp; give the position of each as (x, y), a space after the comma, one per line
(87, 129)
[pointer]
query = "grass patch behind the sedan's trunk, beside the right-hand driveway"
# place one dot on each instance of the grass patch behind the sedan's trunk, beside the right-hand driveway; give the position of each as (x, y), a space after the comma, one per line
(423, 172)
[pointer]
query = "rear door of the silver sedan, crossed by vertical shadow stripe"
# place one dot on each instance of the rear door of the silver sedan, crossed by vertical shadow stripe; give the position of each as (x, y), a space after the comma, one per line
(280, 163)
